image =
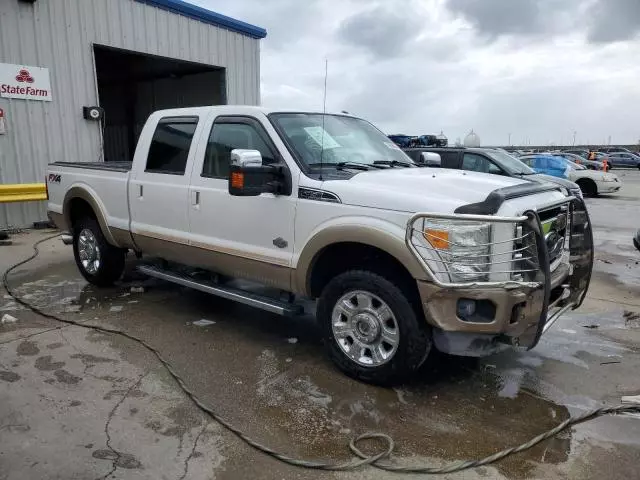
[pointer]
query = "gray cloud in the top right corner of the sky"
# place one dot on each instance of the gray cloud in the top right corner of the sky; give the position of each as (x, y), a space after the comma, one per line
(613, 20)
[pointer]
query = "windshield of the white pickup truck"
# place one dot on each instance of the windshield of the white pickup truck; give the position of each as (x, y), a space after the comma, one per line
(336, 141)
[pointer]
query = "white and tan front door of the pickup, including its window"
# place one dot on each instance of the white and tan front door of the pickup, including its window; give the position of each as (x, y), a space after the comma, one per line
(246, 237)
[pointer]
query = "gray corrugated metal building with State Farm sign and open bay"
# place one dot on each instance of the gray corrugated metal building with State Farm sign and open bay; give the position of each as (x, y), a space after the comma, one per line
(59, 58)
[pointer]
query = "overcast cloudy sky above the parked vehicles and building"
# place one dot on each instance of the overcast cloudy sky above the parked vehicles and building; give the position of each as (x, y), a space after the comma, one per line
(536, 69)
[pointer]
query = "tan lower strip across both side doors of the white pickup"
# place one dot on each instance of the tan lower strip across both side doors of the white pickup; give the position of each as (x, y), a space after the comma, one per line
(276, 276)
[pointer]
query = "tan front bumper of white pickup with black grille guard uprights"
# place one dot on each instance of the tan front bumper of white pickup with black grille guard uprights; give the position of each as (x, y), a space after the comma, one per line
(515, 313)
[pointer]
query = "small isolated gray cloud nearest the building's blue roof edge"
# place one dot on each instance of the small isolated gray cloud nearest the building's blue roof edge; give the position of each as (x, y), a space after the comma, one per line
(383, 32)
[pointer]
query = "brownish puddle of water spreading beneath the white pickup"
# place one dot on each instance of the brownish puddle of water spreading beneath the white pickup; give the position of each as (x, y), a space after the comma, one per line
(456, 411)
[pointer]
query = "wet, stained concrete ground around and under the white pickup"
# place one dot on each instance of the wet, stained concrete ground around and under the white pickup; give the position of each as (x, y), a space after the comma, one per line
(75, 403)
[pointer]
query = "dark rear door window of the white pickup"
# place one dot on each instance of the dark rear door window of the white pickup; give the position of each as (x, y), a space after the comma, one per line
(170, 145)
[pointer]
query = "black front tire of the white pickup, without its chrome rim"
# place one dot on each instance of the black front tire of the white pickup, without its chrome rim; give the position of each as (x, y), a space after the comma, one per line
(414, 342)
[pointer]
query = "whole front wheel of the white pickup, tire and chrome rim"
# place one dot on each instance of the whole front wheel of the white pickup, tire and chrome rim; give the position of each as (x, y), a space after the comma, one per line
(370, 328)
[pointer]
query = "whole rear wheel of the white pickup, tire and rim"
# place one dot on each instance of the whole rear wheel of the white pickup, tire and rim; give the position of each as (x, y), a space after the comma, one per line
(99, 262)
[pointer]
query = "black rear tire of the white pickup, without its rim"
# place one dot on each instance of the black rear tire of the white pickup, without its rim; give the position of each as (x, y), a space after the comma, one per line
(112, 259)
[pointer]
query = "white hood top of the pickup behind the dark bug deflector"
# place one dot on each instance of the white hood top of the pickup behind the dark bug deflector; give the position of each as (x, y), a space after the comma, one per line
(417, 189)
